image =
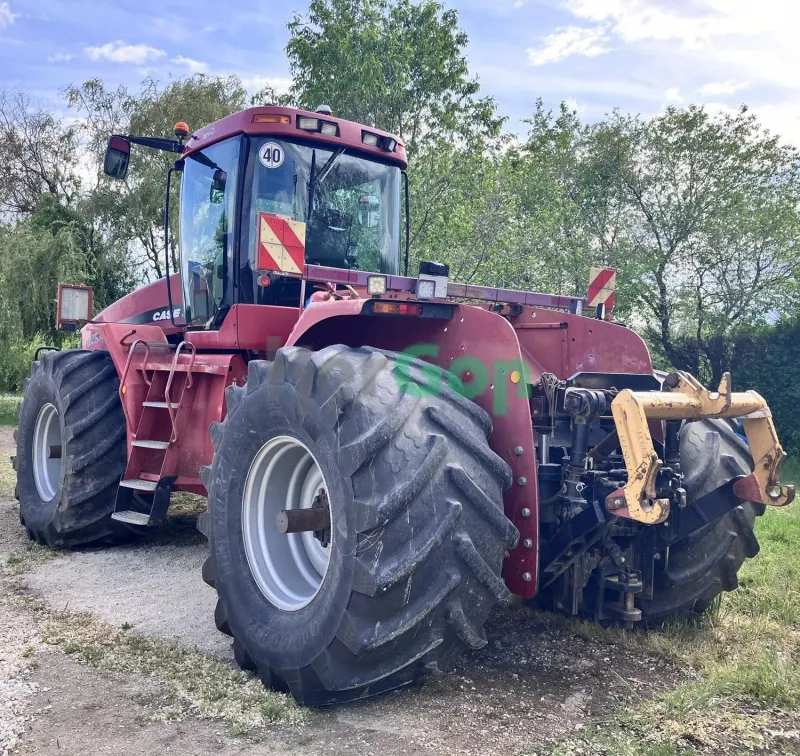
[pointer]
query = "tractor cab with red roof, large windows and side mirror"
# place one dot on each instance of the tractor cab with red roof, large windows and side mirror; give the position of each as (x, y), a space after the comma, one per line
(269, 190)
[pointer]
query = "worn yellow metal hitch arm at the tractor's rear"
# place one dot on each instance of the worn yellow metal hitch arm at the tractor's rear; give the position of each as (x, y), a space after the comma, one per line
(687, 399)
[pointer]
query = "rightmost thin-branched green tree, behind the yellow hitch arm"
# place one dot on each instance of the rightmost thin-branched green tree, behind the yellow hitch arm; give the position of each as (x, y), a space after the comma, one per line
(713, 230)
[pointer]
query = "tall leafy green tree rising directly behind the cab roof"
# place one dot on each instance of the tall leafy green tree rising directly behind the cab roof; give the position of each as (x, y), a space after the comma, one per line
(399, 65)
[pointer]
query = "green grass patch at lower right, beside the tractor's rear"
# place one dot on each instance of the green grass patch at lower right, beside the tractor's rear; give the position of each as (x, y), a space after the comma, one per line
(745, 655)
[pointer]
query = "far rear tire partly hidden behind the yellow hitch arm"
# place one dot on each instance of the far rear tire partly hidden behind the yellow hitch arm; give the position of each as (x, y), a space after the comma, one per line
(701, 566)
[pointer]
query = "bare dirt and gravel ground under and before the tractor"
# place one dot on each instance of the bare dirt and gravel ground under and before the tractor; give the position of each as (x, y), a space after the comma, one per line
(530, 686)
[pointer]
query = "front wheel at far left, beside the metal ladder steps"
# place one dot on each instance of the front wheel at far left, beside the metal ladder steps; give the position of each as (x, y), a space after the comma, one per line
(71, 450)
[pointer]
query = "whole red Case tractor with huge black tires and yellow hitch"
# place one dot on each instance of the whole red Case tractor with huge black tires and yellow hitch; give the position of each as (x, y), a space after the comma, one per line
(385, 457)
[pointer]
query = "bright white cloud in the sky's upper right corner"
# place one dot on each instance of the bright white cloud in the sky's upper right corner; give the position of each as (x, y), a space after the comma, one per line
(711, 48)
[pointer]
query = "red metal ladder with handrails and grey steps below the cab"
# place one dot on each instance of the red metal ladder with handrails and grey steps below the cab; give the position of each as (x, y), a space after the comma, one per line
(149, 448)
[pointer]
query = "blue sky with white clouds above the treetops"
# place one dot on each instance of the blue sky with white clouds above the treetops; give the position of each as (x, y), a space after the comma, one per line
(639, 55)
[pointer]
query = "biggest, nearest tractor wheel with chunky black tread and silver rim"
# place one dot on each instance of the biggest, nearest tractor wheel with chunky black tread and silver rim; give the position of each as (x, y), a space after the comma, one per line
(417, 539)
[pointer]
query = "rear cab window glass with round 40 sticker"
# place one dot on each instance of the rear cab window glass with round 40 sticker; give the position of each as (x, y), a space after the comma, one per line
(350, 205)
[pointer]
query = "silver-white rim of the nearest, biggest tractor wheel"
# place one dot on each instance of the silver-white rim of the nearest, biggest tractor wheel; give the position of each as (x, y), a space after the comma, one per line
(288, 568)
